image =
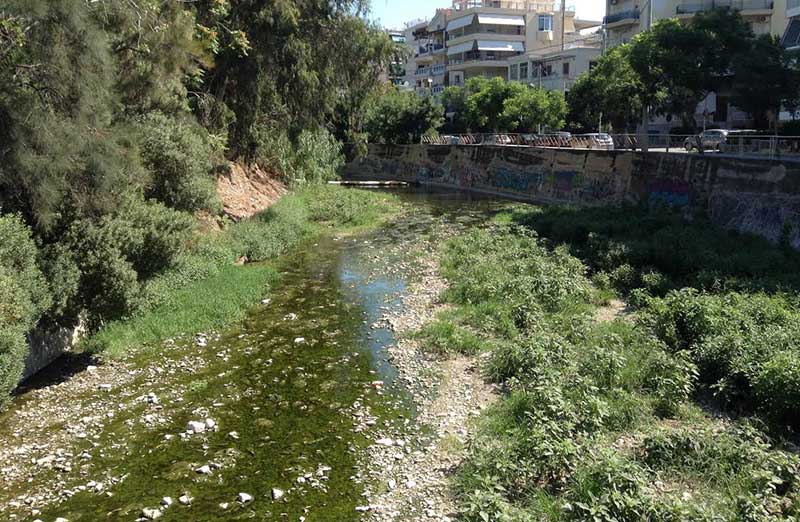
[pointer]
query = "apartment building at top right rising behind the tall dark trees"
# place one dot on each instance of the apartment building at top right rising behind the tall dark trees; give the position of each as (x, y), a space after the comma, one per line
(626, 18)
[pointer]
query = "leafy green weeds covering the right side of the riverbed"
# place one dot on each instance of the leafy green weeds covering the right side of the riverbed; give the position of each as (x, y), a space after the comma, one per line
(600, 420)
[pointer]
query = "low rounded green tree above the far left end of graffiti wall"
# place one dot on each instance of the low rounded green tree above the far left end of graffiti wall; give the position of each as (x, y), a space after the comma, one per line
(402, 117)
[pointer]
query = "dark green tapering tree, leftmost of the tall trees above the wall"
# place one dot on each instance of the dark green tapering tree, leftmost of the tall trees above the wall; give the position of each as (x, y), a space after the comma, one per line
(610, 91)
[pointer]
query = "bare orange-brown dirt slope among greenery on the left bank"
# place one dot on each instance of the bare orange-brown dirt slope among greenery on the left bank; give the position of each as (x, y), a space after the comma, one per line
(246, 190)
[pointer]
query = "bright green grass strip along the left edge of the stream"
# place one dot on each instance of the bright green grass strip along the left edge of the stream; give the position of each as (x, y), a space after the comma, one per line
(206, 291)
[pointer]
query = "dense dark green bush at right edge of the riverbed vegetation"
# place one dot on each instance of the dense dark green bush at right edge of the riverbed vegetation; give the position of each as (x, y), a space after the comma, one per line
(742, 345)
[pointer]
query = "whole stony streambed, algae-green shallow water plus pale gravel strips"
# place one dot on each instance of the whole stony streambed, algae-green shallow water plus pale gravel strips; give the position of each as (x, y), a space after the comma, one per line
(318, 407)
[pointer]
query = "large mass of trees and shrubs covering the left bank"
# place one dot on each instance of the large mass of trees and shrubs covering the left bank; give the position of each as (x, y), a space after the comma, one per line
(115, 115)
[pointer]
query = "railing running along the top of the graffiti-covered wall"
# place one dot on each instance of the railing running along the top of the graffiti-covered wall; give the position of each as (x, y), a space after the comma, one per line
(739, 145)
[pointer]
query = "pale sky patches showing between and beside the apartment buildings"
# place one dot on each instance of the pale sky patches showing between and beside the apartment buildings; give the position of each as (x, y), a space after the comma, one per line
(394, 13)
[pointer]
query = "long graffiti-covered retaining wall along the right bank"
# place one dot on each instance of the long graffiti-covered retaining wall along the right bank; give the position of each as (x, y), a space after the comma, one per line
(759, 196)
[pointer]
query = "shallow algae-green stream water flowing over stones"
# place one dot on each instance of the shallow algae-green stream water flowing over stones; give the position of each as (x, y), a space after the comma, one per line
(294, 391)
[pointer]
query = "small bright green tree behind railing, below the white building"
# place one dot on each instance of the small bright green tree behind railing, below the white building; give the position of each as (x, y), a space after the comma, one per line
(530, 108)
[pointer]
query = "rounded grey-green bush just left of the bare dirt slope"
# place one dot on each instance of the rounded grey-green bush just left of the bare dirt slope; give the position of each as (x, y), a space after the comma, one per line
(179, 154)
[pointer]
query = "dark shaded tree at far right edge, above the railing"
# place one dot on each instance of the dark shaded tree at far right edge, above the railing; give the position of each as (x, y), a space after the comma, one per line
(765, 78)
